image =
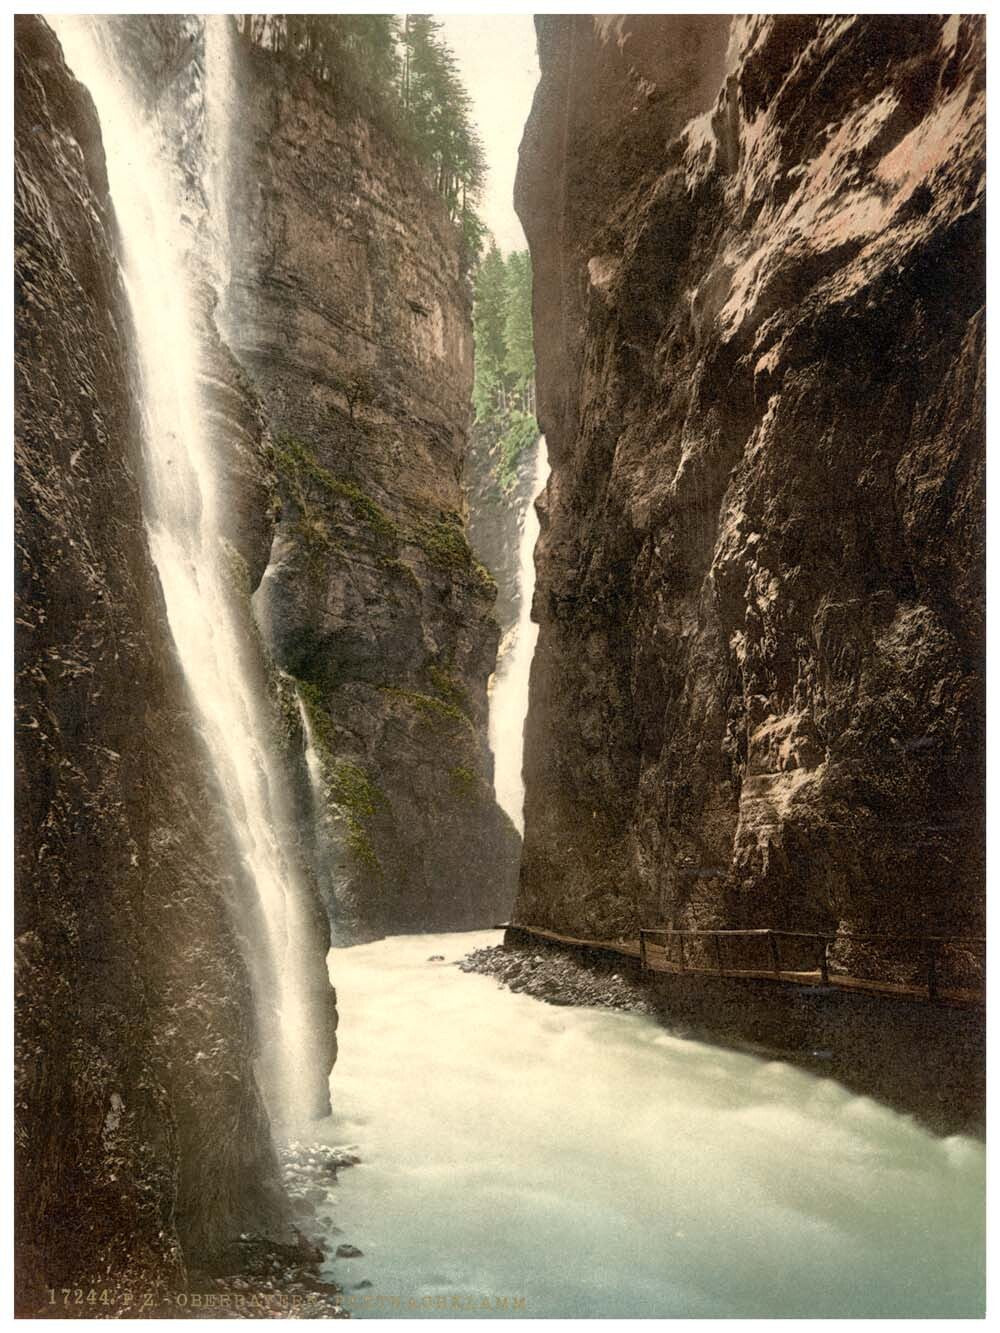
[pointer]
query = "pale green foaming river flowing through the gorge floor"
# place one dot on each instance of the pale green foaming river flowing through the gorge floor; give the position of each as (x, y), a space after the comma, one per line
(594, 1166)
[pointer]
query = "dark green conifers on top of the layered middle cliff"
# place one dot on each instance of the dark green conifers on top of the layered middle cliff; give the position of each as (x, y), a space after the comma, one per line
(402, 75)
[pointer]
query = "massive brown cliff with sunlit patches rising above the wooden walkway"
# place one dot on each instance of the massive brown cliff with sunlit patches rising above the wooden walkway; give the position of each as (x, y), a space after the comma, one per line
(758, 691)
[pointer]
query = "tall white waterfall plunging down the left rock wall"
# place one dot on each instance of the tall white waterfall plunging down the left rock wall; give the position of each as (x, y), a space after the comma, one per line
(173, 238)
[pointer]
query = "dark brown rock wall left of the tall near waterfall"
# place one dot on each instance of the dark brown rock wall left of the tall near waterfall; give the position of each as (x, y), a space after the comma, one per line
(142, 1140)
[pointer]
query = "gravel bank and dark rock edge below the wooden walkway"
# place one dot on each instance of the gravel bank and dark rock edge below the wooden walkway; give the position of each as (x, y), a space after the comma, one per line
(921, 1059)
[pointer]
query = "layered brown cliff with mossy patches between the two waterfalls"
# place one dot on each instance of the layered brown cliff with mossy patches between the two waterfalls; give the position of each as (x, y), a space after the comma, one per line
(347, 270)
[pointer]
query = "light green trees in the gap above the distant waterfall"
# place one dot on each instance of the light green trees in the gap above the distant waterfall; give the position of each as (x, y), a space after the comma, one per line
(505, 390)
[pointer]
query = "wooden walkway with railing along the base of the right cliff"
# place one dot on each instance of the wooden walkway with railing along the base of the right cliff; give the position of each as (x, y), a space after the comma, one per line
(801, 959)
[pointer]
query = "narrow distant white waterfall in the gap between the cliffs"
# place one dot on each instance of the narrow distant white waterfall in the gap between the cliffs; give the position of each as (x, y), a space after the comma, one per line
(509, 691)
